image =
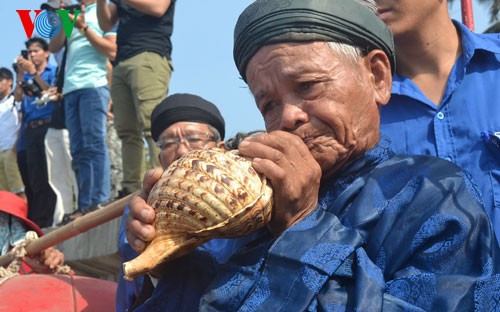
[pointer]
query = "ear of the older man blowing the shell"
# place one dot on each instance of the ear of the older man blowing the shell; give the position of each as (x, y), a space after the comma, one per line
(381, 76)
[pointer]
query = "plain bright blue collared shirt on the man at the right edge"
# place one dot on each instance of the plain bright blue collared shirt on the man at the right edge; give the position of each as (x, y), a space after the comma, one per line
(465, 127)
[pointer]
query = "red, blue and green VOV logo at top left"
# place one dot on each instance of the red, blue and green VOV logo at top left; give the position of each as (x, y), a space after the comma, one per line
(48, 24)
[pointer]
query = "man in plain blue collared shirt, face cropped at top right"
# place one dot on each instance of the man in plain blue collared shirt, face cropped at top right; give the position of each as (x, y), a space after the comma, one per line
(445, 94)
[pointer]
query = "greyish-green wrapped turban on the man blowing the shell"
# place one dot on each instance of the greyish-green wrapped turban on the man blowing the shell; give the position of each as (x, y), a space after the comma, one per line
(267, 22)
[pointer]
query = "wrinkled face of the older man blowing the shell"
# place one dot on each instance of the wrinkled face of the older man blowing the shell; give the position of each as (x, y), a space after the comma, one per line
(325, 99)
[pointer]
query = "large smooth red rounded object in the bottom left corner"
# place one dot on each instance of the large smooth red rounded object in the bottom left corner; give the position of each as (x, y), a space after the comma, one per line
(65, 293)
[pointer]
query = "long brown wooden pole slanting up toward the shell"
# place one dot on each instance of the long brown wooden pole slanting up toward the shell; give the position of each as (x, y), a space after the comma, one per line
(78, 226)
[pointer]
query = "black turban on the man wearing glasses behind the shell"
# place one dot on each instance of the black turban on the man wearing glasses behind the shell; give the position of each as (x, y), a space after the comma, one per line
(185, 107)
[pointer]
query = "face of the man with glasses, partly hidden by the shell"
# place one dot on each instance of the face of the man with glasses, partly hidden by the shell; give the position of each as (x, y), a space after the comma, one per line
(190, 135)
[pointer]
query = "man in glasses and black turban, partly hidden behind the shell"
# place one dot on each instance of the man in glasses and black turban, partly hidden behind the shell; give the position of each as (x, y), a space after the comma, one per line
(180, 123)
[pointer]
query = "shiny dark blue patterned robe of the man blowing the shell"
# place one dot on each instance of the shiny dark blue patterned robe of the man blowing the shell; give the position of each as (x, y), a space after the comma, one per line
(390, 233)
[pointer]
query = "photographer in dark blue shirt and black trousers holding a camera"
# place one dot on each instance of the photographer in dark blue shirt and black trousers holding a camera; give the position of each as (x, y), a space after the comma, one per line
(34, 75)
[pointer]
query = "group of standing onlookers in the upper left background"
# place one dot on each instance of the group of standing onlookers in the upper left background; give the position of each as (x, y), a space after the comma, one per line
(66, 118)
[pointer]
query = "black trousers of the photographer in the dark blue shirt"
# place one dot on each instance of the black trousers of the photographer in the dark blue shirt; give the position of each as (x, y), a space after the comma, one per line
(42, 205)
